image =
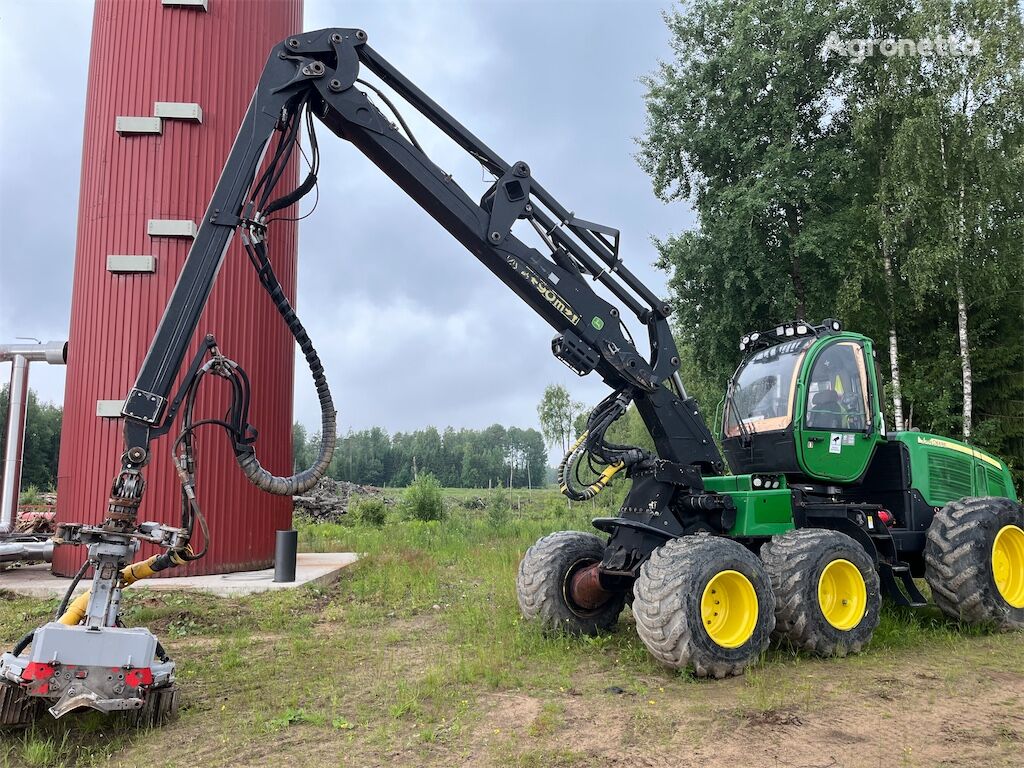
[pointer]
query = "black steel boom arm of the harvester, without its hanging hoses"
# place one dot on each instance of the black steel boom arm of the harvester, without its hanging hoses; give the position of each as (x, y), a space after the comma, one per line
(322, 68)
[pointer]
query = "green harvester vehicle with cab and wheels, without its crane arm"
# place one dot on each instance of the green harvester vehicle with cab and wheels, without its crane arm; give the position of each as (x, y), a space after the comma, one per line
(824, 515)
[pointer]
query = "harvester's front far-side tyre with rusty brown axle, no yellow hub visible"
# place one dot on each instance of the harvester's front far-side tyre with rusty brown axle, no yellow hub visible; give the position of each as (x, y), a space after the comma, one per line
(542, 585)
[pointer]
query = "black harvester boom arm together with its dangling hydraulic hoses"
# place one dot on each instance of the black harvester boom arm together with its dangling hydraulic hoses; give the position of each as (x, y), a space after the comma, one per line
(319, 72)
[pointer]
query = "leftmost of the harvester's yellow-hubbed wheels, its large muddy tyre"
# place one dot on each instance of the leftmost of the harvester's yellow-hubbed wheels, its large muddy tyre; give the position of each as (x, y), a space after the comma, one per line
(669, 602)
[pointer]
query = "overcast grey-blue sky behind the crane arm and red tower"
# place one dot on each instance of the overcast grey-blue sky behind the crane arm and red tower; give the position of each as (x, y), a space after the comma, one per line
(413, 330)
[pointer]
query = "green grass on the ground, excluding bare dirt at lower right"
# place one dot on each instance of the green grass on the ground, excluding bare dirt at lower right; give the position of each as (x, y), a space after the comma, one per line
(405, 654)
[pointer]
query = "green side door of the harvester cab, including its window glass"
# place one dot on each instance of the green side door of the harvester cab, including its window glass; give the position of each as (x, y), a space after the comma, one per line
(837, 431)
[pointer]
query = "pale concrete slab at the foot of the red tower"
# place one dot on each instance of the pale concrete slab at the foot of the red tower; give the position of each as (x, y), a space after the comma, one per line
(312, 568)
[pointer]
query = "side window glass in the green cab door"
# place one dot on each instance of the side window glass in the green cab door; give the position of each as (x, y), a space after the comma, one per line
(837, 393)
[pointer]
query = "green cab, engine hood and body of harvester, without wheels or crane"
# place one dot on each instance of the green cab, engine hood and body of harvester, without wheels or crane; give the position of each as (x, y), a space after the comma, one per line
(803, 432)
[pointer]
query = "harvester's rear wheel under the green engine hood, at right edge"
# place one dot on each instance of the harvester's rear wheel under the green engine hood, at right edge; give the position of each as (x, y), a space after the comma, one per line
(959, 562)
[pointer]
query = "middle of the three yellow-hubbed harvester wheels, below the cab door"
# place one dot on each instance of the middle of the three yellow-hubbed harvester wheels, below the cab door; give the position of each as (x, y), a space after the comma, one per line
(828, 593)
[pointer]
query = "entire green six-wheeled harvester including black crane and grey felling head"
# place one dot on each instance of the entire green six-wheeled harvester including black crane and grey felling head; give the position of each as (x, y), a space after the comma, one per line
(822, 514)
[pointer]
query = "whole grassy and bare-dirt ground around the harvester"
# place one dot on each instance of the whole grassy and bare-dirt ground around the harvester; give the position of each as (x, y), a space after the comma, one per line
(418, 658)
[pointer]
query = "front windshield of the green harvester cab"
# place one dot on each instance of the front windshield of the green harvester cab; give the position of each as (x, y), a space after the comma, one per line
(763, 390)
